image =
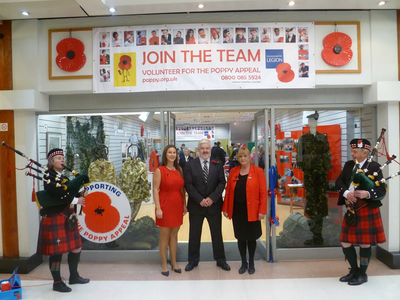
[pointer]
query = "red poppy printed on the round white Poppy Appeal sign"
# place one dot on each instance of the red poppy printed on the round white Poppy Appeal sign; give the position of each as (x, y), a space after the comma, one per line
(100, 215)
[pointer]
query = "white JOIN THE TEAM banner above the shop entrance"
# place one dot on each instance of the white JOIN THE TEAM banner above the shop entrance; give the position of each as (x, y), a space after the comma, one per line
(203, 57)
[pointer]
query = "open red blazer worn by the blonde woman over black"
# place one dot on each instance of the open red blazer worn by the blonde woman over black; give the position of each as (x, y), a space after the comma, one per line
(256, 192)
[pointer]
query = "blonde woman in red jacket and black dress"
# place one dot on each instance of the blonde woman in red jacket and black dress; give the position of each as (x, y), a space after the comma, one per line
(246, 204)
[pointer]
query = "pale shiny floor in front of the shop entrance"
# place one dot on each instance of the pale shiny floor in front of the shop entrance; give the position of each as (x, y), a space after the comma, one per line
(279, 280)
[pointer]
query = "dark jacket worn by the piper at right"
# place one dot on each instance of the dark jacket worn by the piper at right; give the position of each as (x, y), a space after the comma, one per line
(343, 182)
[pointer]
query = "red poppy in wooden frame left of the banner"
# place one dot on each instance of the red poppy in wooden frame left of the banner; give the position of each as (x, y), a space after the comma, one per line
(70, 55)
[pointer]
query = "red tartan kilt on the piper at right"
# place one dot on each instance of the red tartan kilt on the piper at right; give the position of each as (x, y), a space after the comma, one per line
(368, 230)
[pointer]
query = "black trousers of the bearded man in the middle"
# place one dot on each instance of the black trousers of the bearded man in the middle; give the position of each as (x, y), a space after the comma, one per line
(196, 225)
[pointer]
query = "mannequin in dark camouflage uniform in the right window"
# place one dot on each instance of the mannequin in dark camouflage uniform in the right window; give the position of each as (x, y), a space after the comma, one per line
(314, 159)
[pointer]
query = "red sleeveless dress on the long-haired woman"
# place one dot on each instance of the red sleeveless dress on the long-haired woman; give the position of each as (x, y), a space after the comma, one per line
(171, 198)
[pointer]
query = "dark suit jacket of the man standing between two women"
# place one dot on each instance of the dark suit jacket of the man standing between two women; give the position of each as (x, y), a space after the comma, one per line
(198, 190)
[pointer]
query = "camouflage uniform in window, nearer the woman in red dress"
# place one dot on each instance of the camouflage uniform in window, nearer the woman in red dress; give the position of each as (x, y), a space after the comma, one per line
(134, 183)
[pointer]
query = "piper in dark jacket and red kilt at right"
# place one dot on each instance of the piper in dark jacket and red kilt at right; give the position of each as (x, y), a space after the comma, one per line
(365, 202)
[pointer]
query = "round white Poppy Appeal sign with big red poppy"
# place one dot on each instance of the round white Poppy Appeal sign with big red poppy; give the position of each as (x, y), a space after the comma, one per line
(106, 214)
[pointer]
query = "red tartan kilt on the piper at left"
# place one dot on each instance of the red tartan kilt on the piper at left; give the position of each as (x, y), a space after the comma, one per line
(54, 236)
